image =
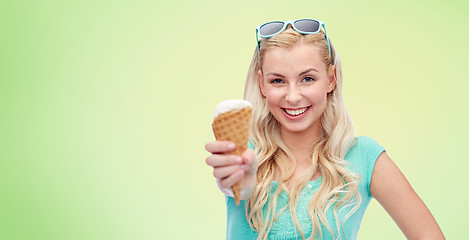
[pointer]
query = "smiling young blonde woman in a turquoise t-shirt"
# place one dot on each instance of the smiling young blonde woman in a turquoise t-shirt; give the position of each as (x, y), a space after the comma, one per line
(306, 175)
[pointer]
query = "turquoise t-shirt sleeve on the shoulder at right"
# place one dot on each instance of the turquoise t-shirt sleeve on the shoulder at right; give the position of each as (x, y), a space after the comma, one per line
(371, 150)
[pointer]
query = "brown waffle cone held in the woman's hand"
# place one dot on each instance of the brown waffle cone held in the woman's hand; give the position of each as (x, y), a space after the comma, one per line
(234, 126)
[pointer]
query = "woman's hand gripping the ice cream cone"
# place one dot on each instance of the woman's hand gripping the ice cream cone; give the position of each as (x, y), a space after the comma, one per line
(229, 169)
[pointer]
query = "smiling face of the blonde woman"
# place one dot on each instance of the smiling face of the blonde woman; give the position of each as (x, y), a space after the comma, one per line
(295, 83)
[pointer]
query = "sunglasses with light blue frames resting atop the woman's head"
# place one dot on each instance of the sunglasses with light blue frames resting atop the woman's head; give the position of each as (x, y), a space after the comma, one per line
(303, 26)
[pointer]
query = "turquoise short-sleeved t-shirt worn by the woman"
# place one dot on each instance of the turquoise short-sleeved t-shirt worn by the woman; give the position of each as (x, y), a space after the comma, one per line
(362, 158)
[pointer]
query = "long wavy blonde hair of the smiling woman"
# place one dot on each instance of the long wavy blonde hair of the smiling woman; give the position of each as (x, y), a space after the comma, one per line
(339, 186)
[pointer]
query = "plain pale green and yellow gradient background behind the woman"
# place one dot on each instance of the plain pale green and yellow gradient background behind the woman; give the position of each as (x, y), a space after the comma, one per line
(106, 106)
